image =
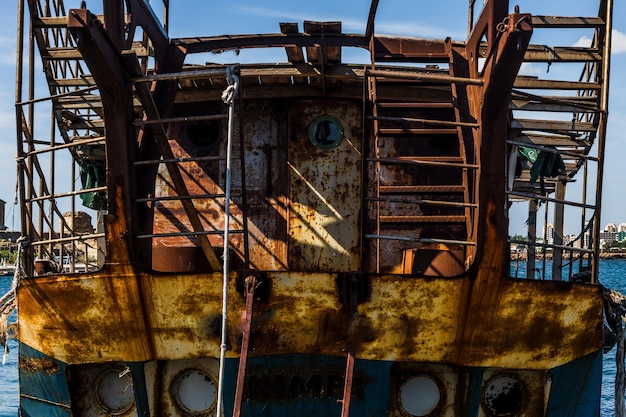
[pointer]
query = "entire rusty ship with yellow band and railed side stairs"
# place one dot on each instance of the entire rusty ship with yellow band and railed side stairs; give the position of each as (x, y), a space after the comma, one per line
(309, 237)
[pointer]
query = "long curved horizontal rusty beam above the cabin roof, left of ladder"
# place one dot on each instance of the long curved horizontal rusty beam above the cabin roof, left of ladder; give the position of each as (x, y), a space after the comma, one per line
(279, 40)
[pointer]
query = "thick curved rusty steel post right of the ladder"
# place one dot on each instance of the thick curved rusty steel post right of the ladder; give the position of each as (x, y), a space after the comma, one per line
(492, 261)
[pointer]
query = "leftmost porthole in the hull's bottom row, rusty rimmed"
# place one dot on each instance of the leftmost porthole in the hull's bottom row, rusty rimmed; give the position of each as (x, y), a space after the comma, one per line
(114, 391)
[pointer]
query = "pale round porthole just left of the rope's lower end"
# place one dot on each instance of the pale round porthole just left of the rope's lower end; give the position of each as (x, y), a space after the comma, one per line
(194, 392)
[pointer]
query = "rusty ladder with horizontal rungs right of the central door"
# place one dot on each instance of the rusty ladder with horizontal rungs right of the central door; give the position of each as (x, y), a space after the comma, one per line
(430, 188)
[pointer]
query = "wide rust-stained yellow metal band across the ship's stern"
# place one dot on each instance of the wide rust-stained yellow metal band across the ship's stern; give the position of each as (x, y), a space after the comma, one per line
(529, 324)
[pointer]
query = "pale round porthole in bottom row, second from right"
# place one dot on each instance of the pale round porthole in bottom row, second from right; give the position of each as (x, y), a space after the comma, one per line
(421, 396)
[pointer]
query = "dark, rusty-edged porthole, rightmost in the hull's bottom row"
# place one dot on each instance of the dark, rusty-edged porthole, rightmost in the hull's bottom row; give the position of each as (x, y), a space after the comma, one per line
(503, 396)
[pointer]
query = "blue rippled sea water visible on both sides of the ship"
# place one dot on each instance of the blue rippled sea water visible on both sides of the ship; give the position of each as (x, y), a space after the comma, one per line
(612, 275)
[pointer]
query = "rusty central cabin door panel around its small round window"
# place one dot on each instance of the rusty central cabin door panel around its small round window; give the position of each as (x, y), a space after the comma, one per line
(324, 190)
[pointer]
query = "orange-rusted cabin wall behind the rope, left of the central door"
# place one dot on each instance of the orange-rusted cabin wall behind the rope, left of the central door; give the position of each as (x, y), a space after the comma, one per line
(265, 178)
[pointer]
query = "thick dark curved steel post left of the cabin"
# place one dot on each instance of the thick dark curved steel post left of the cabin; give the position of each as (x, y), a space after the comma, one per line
(108, 71)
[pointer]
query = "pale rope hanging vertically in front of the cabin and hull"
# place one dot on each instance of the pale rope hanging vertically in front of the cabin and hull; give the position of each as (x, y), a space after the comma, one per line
(228, 97)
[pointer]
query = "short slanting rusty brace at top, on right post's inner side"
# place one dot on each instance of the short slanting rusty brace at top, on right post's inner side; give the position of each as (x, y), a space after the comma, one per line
(494, 12)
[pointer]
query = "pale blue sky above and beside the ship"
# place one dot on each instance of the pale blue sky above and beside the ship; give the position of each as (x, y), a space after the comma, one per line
(406, 17)
